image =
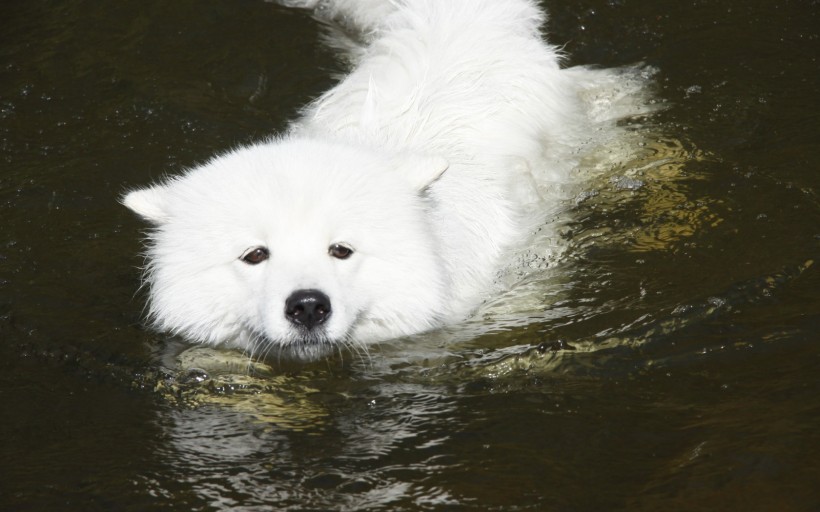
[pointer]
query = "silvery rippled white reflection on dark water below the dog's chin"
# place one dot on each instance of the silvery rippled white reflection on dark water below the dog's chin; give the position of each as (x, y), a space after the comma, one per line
(231, 461)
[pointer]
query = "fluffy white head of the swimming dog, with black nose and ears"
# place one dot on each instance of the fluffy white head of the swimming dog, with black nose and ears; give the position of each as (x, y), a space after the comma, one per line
(294, 247)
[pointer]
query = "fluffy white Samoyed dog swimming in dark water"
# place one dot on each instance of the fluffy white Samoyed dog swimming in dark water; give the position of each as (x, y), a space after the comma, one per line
(387, 207)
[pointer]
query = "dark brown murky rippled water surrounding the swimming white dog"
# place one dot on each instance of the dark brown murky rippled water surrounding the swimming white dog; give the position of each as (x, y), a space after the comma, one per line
(670, 361)
